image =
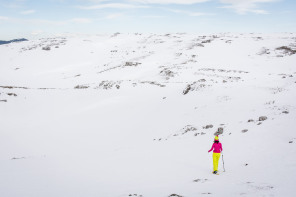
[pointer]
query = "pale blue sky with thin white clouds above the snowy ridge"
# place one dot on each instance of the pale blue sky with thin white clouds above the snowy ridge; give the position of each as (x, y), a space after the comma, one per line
(29, 18)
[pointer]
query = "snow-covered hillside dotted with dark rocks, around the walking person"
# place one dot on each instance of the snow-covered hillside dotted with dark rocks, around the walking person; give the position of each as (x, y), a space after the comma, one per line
(125, 114)
